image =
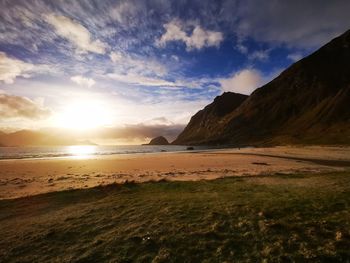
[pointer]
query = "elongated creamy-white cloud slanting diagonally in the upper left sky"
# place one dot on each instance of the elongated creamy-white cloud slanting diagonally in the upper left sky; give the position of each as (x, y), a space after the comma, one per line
(77, 34)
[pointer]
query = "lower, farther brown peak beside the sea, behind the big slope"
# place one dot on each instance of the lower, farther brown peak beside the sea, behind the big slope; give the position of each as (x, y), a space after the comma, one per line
(204, 123)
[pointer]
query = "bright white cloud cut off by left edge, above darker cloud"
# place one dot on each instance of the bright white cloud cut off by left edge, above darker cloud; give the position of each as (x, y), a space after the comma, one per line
(10, 68)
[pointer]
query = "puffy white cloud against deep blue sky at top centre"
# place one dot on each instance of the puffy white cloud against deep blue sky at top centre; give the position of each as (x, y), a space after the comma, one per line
(197, 39)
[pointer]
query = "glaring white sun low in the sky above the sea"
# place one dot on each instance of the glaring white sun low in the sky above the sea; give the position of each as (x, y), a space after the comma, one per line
(83, 115)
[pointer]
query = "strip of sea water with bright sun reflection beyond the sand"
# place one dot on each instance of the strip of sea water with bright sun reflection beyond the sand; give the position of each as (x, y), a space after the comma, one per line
(84, 150)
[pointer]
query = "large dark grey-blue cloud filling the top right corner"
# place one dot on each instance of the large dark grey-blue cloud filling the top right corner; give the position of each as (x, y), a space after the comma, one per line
(306, 24)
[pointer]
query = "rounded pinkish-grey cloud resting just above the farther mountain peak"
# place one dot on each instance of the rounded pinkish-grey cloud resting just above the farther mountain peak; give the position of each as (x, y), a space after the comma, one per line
(244, 81)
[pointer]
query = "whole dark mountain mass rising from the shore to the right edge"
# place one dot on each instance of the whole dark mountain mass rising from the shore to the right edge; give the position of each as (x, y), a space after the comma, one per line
(308, 103)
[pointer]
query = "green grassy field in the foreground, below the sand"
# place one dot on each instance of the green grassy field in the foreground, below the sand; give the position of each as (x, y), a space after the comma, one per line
(280, 218)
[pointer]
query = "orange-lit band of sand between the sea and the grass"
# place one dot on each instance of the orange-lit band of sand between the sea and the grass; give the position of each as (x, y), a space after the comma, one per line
(20, 178)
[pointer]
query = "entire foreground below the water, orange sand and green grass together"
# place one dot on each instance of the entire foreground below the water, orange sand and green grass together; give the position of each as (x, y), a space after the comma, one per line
(236, 205)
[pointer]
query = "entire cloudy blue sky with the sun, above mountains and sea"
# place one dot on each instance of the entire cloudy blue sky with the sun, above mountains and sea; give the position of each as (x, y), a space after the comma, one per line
(145, 67)
